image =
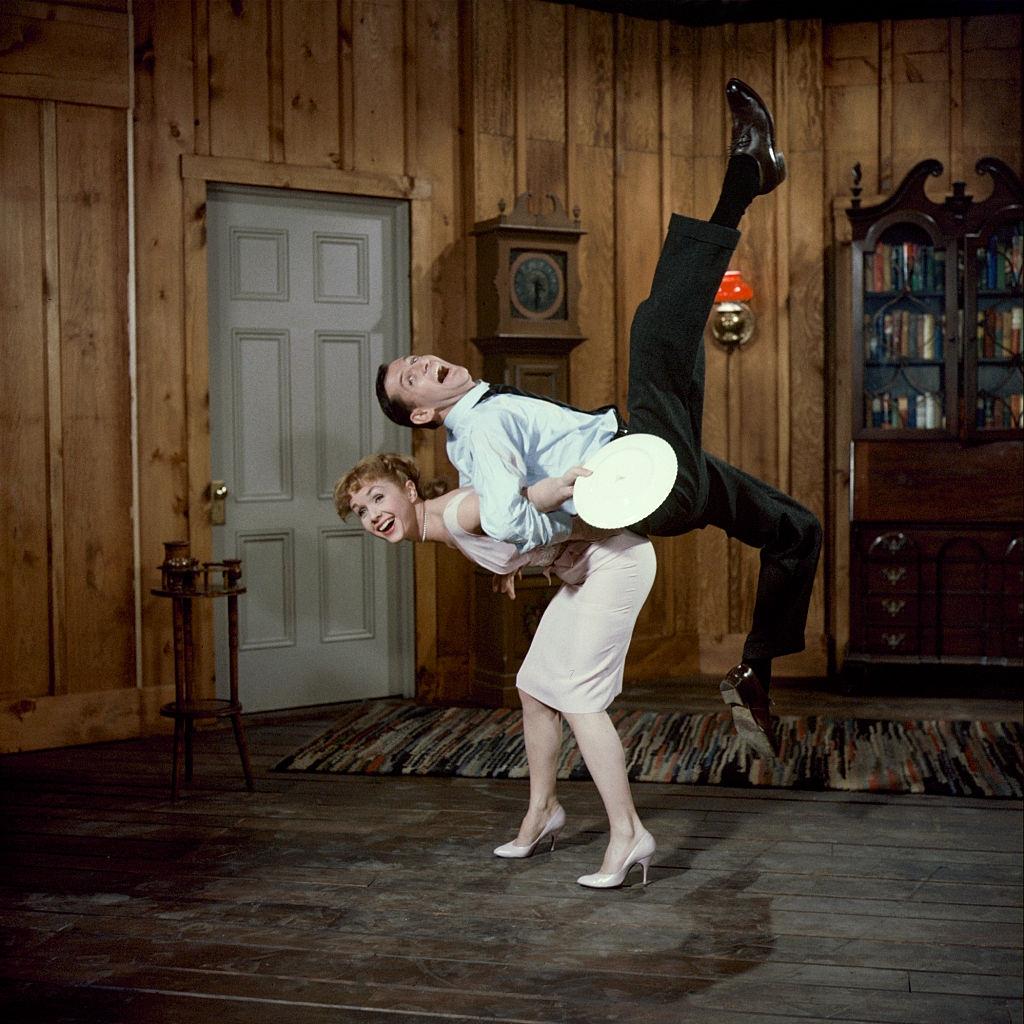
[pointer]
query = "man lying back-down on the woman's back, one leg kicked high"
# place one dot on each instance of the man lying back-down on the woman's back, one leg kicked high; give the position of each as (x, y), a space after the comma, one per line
(502, 442)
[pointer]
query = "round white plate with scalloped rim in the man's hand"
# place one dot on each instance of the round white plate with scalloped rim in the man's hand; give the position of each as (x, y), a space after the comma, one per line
(631, 477)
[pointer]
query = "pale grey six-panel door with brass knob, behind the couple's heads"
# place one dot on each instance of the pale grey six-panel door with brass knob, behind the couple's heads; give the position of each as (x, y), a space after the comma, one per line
(309, 294)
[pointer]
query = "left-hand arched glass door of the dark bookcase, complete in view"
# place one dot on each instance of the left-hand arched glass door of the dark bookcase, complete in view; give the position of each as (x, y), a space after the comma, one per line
(905, 338)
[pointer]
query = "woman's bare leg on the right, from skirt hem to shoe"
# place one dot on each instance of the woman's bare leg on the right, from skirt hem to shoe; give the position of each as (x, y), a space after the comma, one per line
(603, 750)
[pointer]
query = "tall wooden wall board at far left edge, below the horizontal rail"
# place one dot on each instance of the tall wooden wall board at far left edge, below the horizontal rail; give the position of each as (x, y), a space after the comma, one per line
(25, 583)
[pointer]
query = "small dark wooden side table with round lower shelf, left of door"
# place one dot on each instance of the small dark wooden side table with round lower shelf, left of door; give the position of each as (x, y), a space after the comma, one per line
(185, 580)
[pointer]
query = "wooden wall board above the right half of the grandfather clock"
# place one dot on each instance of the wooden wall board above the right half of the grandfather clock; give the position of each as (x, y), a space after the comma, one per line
(544, 70)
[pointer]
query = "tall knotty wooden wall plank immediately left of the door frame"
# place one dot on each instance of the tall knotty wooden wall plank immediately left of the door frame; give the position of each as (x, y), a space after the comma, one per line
(163, 125)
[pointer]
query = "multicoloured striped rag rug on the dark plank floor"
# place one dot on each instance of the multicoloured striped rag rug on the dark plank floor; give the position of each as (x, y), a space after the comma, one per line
(957, 758)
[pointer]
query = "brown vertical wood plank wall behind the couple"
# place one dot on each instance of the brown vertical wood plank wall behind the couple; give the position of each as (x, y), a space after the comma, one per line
(454, 106)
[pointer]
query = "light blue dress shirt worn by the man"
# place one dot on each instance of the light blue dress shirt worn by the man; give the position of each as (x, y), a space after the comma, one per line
(510, 442)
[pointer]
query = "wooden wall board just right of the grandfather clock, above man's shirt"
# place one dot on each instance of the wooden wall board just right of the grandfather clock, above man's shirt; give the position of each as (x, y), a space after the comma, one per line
(590, 71)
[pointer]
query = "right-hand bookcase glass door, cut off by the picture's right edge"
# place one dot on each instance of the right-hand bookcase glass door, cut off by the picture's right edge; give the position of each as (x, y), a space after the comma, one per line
(995, 305)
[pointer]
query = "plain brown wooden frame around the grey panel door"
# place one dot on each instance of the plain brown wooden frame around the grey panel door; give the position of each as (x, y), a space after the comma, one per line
(197, 175)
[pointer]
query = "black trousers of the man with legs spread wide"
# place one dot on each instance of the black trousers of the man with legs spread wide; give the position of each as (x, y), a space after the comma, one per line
(666, 398)
